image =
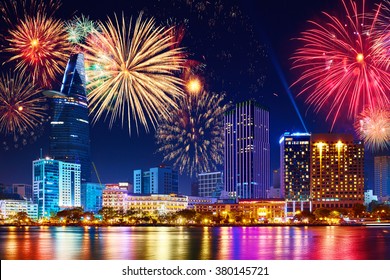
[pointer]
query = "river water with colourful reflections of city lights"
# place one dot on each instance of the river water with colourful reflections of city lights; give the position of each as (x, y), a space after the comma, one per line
(193, 243)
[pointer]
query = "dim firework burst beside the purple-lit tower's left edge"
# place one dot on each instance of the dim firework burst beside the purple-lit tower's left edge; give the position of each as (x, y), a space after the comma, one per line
(192, 136)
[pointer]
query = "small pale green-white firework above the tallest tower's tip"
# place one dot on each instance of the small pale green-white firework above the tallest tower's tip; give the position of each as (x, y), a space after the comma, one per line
(80, 28)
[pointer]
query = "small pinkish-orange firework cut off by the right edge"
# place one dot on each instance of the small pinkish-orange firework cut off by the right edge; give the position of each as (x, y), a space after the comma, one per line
(373, 127)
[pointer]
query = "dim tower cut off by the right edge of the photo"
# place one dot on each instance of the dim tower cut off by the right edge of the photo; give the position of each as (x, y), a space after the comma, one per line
(382, 177)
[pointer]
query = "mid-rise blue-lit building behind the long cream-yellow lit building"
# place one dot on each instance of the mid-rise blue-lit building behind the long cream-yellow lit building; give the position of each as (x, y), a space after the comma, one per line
(157, 180)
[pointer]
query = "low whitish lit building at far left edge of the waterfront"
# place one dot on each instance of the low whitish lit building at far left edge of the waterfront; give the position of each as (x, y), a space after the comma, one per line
(10, 207)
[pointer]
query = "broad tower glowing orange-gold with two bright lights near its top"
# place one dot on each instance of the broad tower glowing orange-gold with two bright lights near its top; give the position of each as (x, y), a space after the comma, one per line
(337, 171)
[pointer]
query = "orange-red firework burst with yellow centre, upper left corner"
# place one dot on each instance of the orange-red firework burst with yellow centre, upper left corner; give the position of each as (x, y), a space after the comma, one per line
(39, 47)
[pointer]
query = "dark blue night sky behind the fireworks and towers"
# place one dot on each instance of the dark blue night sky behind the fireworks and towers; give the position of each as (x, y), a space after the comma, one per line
(241, 45)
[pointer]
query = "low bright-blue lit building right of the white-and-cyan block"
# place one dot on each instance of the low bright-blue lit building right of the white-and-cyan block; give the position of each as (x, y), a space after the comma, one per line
(92, 197)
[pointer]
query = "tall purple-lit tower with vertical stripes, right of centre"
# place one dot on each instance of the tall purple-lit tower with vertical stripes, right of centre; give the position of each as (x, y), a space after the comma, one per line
(247, 151)
